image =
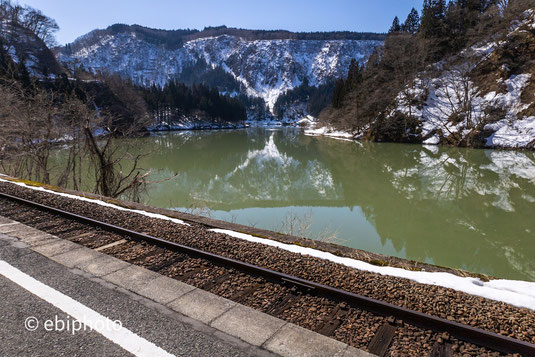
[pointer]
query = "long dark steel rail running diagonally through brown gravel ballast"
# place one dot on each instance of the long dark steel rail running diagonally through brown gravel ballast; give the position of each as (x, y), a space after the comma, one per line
(460, 331)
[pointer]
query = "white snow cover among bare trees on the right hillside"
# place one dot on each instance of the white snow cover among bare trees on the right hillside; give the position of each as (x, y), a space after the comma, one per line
(446, 96)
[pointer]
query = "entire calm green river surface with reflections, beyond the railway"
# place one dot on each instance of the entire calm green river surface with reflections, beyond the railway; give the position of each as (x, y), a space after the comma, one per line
(461, 208)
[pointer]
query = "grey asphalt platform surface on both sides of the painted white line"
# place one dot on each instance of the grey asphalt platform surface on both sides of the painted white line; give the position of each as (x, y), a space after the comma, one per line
(167, 330)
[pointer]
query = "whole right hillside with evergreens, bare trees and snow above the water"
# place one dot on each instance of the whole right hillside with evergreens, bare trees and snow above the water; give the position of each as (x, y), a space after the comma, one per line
(459, 75)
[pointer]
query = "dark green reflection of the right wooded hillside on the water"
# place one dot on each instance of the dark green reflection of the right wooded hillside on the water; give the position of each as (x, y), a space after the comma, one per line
(471, 208)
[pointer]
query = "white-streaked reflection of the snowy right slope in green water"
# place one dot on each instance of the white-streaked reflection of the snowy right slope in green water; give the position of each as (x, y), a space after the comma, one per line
(451, 177)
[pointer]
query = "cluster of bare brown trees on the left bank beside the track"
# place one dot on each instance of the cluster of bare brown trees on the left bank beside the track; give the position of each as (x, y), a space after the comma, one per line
(33, 123)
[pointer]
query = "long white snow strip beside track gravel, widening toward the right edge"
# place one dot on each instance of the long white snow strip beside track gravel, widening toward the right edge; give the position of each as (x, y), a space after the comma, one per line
(517, 293)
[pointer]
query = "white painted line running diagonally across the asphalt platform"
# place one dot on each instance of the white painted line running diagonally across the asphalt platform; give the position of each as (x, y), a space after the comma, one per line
(123, 337)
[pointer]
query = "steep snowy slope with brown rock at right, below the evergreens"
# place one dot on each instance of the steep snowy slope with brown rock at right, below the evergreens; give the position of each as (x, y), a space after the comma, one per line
(485, 96)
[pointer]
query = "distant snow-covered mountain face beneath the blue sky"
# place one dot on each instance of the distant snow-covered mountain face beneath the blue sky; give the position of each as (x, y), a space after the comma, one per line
(264, 67)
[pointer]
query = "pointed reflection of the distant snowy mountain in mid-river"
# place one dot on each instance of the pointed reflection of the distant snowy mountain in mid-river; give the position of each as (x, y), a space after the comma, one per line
(269, 175)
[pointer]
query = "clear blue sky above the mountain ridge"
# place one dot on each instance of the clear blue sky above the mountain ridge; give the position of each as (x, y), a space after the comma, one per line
(77, 17)
